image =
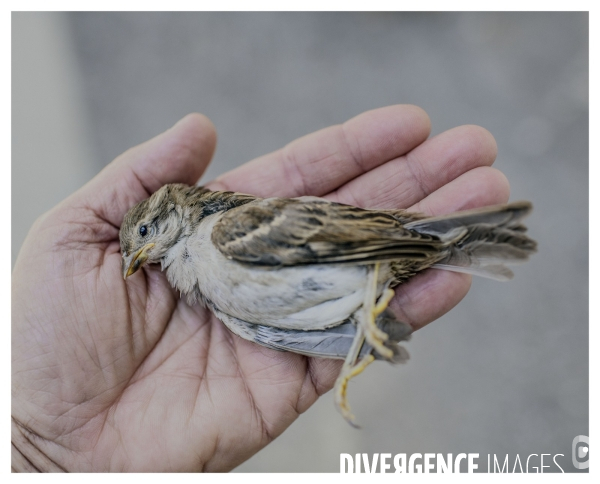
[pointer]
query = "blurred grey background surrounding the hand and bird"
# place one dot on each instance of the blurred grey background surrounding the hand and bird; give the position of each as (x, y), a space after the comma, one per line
(506, 371)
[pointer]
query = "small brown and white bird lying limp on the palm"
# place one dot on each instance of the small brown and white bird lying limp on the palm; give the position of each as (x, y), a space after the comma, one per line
(308, 275)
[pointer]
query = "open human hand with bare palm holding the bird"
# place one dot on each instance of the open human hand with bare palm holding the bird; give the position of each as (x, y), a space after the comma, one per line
(114, 375)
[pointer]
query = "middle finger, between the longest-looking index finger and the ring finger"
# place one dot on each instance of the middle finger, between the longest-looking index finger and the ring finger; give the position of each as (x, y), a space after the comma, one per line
(409, 178)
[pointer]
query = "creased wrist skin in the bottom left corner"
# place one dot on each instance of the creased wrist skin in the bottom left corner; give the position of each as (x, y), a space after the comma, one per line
(26, 456)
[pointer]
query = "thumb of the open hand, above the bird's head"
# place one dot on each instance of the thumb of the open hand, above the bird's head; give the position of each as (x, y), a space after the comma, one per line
(180, 154)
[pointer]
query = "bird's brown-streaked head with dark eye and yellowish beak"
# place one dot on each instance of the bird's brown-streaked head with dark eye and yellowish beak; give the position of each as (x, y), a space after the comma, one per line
(151, 228)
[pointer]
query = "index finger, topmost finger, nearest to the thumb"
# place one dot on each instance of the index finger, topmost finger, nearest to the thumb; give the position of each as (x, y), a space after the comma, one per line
(320, 162)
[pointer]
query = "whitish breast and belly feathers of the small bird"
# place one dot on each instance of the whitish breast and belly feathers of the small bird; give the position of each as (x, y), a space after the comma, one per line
(302, 297)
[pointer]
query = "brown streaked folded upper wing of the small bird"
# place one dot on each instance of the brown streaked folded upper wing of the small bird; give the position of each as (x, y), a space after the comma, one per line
(288, 232)
